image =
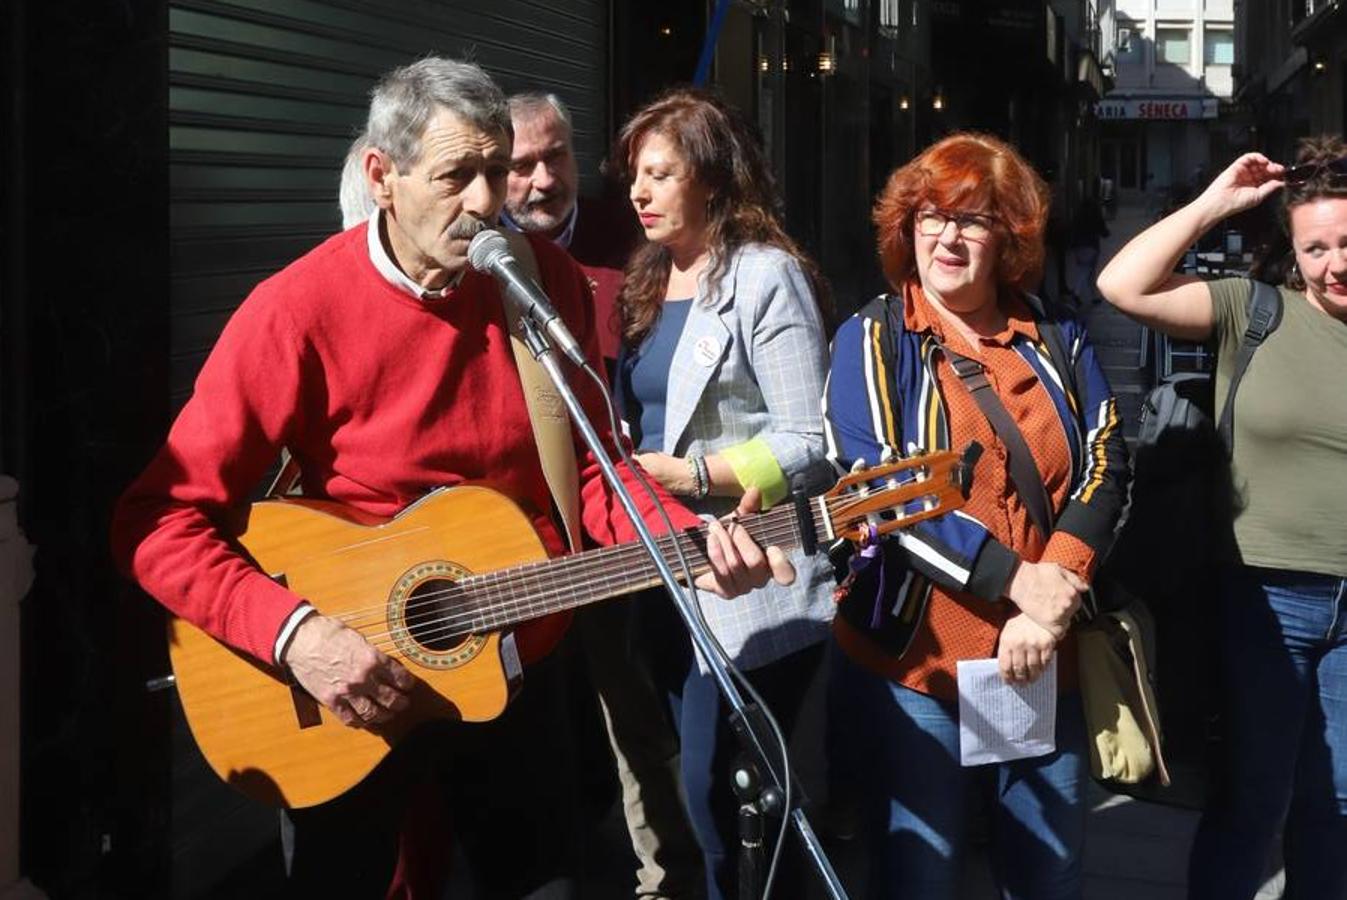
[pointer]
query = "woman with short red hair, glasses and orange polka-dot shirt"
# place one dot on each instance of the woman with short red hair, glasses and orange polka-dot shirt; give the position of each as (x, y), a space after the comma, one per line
(958, 354)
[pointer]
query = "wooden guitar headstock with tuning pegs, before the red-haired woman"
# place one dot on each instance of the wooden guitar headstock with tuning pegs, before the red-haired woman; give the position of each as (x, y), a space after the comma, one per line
(940, 483)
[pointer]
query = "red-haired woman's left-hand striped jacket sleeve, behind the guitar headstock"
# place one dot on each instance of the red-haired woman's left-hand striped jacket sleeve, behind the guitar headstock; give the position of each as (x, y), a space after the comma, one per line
(863, 414)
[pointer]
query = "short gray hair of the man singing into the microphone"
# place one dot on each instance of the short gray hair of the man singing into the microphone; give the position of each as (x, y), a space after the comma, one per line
(406, 100)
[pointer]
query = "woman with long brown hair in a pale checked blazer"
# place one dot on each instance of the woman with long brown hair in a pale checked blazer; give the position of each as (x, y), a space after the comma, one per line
(720, 379)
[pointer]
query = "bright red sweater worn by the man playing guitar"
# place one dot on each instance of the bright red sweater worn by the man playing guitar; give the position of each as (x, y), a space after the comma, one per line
(381, 398)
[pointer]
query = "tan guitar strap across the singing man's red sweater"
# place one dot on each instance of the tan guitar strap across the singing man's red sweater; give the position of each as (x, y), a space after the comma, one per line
(546, 414)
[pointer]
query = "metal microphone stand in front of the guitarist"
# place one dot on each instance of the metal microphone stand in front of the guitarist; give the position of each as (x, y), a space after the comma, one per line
(762, 787)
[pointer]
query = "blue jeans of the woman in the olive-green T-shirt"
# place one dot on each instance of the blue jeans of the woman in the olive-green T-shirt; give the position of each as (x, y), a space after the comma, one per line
(1284, 707)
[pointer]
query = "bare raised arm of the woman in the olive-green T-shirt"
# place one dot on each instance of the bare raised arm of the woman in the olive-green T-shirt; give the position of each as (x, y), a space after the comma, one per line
(1142, 282)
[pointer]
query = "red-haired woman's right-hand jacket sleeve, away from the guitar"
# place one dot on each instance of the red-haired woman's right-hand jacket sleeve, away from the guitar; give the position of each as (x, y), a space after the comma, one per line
(1101, 488)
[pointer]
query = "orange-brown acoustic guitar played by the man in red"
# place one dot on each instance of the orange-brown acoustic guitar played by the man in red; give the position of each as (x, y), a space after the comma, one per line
(437, 588)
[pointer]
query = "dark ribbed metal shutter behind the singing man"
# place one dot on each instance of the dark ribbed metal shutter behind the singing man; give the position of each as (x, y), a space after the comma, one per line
(267, 95)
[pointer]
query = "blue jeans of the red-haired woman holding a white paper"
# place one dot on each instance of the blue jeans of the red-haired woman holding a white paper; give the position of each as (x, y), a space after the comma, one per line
(905, 748)
